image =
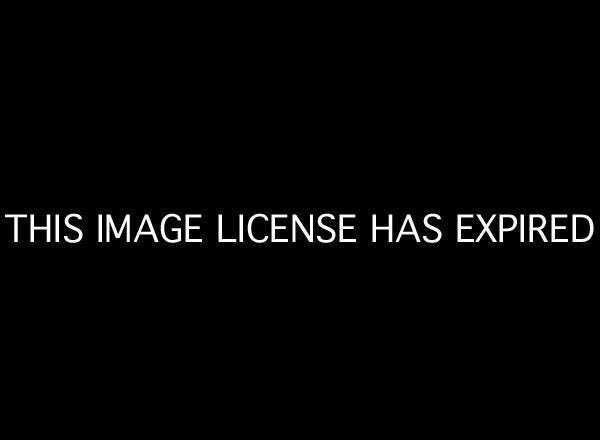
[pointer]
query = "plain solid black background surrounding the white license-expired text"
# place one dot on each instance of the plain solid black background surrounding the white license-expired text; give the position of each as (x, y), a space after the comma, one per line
(368, 113)
